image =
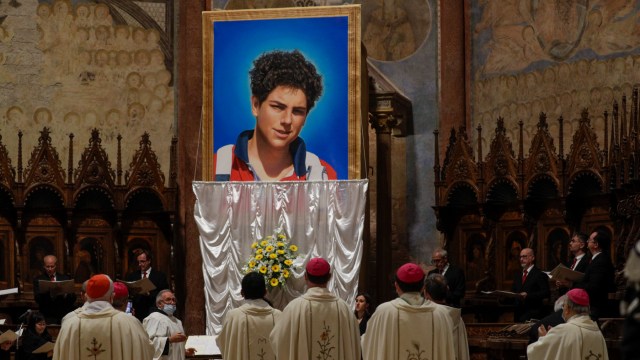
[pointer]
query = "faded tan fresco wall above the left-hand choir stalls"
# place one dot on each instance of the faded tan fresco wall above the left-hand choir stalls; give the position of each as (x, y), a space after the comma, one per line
(72, 67)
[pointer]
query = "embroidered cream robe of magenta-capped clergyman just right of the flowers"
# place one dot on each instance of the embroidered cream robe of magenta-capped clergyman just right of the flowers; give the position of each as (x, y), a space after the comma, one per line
(317, 325)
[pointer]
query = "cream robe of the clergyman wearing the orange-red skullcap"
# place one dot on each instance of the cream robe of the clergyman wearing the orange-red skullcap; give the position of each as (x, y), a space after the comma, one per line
(100, 332)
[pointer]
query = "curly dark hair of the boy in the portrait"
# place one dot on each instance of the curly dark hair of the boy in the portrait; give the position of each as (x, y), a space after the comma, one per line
(291, 69)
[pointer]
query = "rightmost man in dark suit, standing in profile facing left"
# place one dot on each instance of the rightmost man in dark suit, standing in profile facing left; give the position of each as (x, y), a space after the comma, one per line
(599, 278)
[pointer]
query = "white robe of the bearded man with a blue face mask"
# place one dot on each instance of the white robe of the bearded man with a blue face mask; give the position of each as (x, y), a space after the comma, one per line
(160, 327)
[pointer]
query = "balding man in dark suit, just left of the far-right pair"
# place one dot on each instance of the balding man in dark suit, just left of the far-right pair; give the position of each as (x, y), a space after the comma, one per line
(533, 287)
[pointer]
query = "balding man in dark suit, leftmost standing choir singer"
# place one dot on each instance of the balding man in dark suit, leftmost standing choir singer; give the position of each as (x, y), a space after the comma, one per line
(52, 306)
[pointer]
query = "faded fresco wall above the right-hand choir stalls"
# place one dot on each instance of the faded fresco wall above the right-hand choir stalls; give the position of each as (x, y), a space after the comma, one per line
(551, 56)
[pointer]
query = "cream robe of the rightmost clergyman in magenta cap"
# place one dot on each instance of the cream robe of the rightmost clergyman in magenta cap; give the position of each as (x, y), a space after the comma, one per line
(577, 339)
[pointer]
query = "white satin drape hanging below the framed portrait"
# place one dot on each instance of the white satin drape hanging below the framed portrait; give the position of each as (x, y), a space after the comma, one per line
(323, 218)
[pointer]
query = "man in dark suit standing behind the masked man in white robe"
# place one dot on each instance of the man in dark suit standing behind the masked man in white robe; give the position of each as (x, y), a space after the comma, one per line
(142, 303)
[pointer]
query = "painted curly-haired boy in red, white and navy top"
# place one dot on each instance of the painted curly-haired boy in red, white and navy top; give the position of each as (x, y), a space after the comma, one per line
(284, 88)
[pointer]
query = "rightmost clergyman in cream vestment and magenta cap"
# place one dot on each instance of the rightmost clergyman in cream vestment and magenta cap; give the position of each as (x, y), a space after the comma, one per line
(579, 338)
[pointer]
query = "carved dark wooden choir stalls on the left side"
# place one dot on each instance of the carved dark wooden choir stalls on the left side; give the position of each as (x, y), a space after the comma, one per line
(90, 216)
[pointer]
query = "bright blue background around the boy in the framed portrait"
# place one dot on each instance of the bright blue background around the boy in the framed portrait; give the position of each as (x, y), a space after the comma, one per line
(323, 41)
